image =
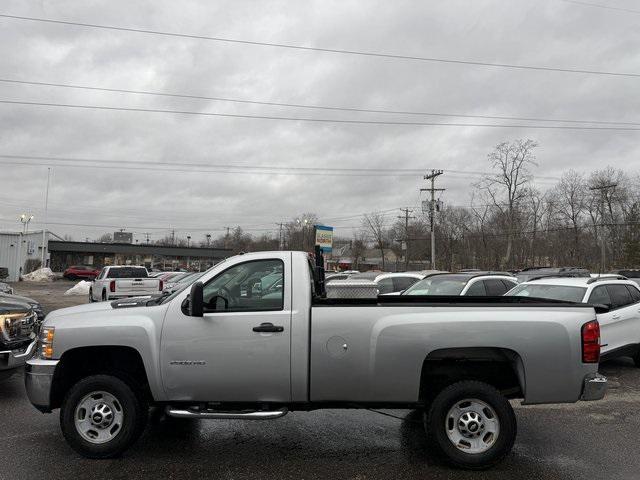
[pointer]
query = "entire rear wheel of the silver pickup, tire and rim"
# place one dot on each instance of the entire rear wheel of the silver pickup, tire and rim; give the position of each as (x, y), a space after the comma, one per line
(471, 424)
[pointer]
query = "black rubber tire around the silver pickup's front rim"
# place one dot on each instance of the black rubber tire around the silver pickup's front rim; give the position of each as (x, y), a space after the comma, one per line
(134, 416)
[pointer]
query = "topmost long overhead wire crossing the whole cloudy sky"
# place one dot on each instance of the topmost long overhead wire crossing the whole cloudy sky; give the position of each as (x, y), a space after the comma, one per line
(322, 49)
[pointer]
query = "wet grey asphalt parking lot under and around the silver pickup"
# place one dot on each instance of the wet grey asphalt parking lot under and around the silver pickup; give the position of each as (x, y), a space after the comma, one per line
(585, 440)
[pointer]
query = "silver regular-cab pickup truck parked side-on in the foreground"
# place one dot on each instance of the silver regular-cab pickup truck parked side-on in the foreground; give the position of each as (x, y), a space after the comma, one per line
(256, 338)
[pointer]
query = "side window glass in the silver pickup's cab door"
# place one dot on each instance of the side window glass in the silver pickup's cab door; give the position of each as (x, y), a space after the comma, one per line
(252, 286)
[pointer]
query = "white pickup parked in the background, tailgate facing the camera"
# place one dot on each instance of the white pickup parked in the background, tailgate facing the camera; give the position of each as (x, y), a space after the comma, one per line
(122, 281)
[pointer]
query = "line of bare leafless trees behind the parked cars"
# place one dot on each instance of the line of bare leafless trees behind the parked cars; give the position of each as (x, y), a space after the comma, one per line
(510, 223)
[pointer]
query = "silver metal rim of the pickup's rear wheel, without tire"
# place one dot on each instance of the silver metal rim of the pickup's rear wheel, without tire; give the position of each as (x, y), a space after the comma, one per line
(472, 426)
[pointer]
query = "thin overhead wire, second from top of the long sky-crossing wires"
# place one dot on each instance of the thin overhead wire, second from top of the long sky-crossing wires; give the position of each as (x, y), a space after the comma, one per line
(314, 107)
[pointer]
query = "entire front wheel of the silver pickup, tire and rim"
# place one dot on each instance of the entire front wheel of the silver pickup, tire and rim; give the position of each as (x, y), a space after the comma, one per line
(101, 416)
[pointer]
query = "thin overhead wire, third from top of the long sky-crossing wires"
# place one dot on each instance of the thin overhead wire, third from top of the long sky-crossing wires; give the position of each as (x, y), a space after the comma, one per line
(313, 120)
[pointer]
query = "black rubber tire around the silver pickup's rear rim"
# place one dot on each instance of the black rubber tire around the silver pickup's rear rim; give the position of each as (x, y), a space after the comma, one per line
(437, 425)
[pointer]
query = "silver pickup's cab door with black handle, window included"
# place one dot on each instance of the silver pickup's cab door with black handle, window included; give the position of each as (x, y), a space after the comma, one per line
(240, 349)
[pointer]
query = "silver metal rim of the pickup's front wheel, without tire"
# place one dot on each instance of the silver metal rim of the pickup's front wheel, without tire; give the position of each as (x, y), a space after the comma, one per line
(99, 417)
